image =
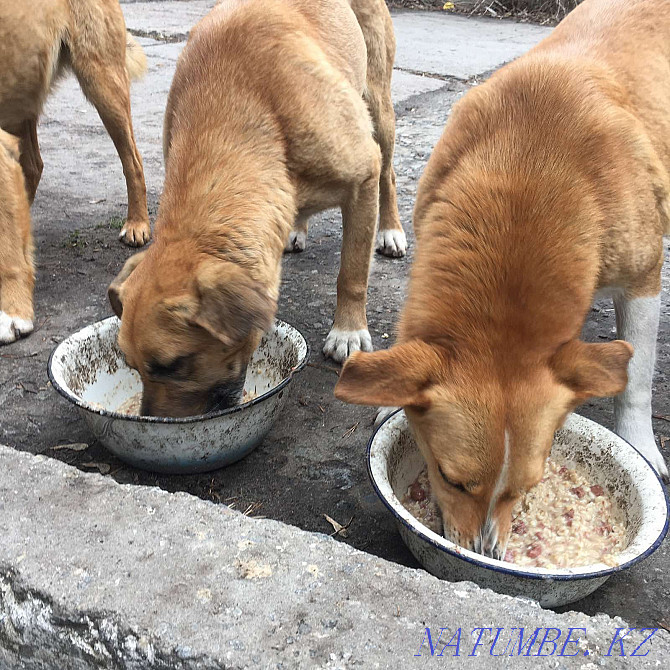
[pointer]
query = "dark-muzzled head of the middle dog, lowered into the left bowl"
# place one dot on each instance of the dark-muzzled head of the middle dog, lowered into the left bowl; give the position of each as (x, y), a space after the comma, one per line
(189, 325)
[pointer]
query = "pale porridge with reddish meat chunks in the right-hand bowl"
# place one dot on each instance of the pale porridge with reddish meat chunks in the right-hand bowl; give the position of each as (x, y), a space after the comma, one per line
(562, 522)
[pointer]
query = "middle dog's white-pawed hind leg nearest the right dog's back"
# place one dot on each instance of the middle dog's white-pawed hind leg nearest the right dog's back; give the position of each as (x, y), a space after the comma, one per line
(377, 30)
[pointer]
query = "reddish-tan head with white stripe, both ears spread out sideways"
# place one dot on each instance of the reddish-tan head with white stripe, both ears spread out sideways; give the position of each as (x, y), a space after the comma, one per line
(485, 430)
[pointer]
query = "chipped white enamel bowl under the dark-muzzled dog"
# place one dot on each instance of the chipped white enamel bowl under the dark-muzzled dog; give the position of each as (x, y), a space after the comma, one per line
(88, 369)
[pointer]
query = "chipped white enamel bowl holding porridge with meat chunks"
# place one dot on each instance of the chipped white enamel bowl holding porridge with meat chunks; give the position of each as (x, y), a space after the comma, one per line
(394, 462)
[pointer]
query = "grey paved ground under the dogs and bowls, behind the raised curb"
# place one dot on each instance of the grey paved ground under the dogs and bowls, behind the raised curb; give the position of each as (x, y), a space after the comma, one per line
(313, 462)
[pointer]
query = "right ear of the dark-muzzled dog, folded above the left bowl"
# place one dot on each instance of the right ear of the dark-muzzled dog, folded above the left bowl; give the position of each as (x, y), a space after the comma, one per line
(230, 303)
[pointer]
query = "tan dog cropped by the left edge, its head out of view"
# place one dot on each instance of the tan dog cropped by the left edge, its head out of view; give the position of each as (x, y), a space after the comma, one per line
(39, 41)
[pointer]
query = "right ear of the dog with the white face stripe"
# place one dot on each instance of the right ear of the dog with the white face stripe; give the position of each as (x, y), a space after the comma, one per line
(593, 370)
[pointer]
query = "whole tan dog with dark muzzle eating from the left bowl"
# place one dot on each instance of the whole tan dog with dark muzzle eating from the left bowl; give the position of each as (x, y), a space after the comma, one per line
(266, 124)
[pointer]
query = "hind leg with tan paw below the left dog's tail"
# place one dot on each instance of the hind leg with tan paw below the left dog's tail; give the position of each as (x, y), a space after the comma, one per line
(98, 59)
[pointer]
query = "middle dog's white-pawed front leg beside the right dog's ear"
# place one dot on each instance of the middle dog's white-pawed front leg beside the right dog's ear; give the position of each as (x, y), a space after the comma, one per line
(359, 218)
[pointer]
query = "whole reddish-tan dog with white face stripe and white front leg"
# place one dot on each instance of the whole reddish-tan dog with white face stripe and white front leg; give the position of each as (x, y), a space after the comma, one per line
(549, 184)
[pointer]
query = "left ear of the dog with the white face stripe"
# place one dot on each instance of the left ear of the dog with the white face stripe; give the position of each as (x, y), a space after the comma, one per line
(398, 376)
